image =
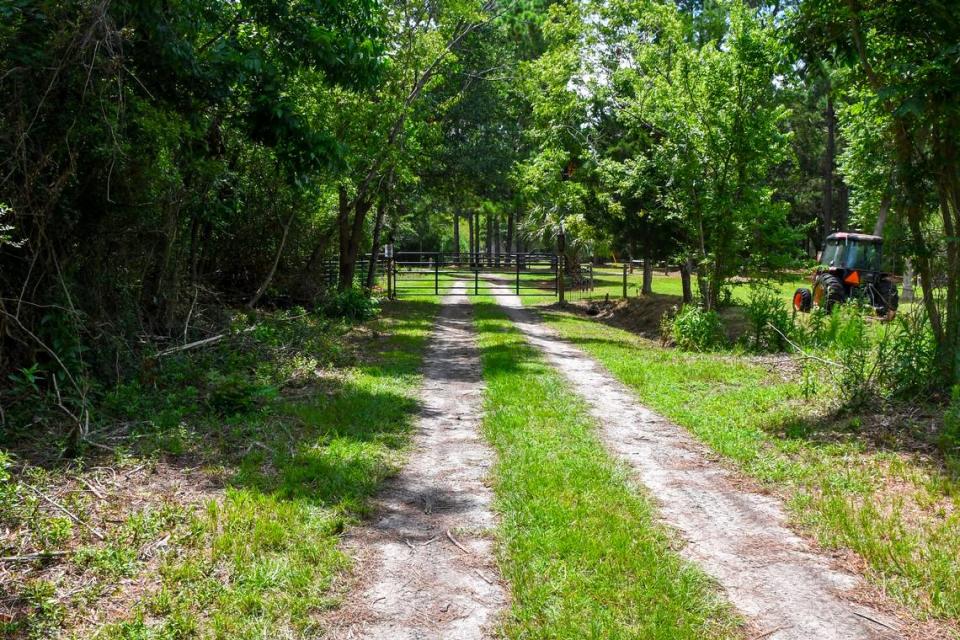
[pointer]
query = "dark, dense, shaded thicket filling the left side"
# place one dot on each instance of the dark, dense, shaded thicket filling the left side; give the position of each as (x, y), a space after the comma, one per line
(162, 161)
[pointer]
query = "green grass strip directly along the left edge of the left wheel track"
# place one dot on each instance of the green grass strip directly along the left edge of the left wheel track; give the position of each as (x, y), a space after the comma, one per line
(260, 562)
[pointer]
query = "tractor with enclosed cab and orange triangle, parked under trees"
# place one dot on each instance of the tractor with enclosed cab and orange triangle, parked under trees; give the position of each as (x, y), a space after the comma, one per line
(849, 269)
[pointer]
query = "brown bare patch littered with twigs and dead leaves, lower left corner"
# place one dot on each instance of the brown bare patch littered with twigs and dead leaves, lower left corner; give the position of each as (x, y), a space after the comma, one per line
(105, 497)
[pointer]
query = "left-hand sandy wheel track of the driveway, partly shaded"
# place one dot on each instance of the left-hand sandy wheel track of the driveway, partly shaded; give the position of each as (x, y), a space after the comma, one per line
(425, 567)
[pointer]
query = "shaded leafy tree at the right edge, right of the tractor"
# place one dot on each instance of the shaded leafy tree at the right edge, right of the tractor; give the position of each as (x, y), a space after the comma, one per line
(904, 112)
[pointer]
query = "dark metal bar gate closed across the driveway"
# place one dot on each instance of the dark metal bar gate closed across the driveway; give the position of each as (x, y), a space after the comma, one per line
(436, 273)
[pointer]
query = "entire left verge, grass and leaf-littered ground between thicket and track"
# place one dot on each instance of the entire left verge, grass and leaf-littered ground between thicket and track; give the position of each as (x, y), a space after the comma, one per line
(281, 444)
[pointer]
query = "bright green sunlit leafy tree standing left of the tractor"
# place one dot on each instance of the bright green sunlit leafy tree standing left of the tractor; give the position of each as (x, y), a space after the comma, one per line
(715, 122)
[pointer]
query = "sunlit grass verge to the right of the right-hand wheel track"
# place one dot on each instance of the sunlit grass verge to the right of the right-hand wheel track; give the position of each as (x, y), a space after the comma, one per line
(870, 488)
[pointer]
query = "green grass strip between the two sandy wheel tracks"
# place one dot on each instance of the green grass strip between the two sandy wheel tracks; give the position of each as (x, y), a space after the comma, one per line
(578, 542)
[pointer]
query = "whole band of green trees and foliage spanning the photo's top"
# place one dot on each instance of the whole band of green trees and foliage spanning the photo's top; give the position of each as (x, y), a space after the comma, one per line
(157, 154)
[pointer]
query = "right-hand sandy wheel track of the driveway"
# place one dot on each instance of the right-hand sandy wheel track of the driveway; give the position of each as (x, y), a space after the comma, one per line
(776, 579)
